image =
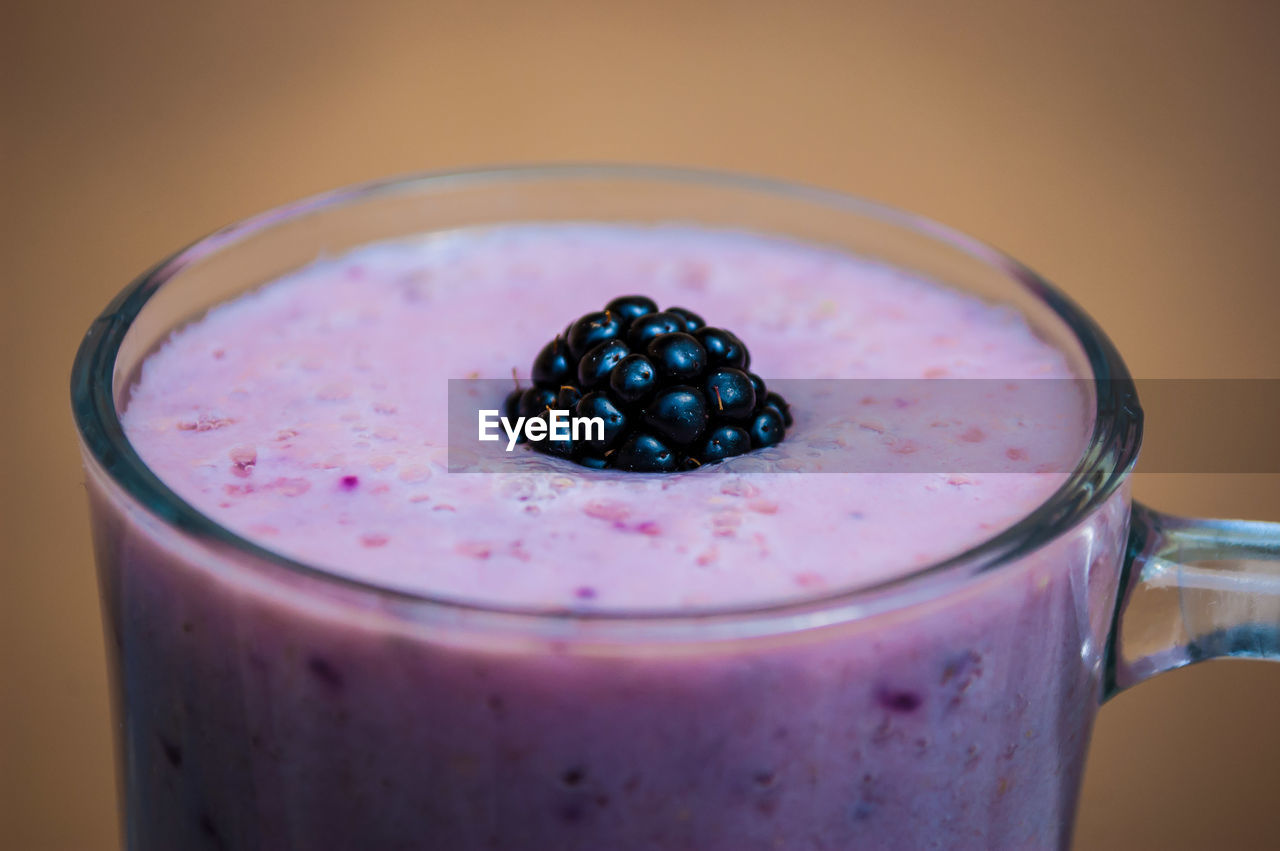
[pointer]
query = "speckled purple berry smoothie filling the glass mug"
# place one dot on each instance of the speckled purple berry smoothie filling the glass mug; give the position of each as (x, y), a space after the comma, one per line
(312, 418)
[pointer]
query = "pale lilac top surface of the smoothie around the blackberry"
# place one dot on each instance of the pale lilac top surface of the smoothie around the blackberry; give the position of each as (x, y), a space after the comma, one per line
(312, 418)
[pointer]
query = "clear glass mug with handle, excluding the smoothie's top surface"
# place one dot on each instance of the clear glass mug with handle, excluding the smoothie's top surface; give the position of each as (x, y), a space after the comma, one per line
(267, 704)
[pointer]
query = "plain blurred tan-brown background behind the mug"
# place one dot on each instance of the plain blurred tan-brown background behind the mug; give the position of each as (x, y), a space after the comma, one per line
(1126, 150)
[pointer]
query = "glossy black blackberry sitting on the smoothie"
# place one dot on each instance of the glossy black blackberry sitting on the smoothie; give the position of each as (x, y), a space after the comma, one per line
(671, 392)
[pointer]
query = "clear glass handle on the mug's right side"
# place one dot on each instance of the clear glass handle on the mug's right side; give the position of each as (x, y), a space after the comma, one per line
(1194, 591)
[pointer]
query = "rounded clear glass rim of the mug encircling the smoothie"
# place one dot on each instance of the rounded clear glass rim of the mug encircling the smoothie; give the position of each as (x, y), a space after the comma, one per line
(1103, 468)
